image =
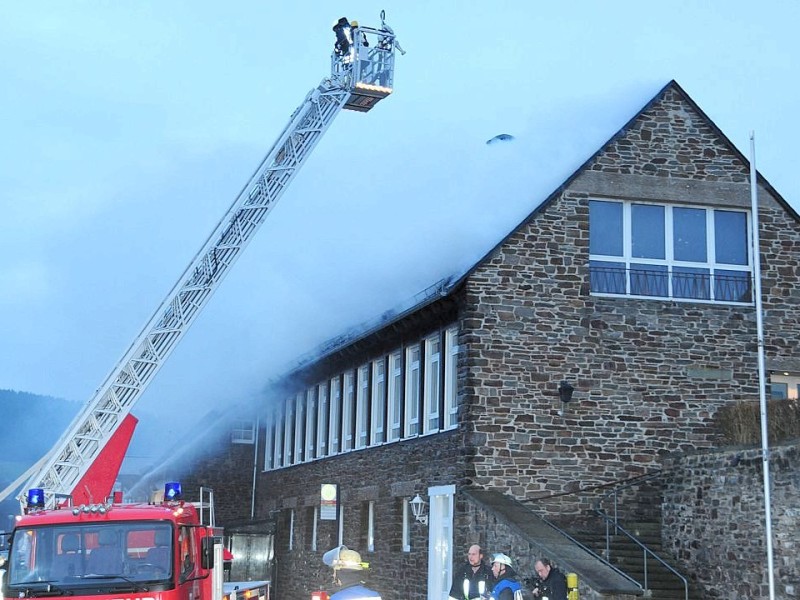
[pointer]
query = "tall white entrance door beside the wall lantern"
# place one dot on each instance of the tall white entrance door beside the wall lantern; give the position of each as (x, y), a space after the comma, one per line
(440, 541)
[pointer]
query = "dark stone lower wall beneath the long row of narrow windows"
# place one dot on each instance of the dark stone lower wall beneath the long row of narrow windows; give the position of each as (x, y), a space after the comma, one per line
(385, 475)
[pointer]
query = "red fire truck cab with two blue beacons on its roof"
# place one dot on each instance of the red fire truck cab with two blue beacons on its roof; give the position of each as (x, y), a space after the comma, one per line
(161, 550)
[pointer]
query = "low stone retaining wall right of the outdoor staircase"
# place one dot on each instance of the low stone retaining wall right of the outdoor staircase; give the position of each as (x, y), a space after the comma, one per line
(714, 520)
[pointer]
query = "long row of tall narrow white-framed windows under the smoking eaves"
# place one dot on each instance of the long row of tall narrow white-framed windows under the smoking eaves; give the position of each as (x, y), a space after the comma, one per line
(408, 392)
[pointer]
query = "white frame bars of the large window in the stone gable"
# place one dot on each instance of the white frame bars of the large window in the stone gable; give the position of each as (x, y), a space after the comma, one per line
(627, 259)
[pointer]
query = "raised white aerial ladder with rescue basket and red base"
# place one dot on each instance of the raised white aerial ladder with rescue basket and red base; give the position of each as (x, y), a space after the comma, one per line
(82, 466)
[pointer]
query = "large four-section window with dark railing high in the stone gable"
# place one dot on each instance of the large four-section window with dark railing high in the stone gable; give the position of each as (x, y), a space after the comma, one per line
(664, 251)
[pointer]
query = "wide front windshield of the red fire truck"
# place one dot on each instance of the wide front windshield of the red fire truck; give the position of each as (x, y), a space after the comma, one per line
(49, 559)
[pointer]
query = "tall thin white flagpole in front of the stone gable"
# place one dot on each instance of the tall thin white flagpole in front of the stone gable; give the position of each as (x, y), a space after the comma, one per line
(762, 377)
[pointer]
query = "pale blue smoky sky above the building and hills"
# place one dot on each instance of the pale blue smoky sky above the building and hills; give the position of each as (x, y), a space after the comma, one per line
(128, 128)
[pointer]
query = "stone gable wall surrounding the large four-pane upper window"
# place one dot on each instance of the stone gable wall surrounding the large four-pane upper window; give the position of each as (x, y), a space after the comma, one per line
(649, 374)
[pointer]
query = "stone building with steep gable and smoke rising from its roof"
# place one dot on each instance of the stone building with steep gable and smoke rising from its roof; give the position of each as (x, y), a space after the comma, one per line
(631, 286)
